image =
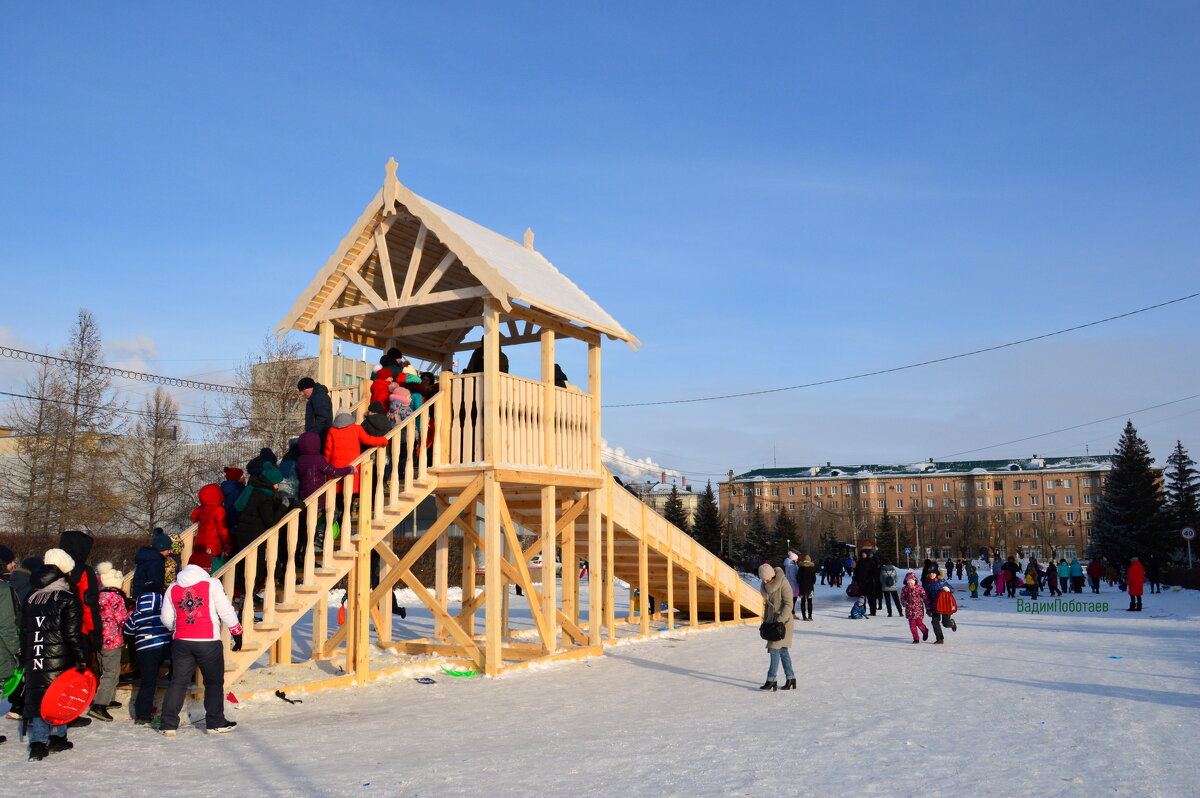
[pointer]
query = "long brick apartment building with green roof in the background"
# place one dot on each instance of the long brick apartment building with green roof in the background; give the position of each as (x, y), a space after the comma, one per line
(1041, 506)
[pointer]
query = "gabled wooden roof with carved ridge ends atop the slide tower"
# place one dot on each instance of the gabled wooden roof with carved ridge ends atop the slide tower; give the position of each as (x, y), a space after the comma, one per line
(415, 275)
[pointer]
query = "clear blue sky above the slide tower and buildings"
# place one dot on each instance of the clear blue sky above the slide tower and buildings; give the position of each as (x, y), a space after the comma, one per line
(765, 194)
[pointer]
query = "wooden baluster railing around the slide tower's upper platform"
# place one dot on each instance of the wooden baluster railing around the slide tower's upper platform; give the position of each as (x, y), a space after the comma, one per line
(523, 430)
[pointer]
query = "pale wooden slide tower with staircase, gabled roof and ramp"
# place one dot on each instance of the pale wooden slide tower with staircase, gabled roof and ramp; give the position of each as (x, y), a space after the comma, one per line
(499, 453)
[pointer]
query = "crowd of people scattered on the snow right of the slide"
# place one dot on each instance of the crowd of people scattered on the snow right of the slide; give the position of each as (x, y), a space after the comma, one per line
(877, 585)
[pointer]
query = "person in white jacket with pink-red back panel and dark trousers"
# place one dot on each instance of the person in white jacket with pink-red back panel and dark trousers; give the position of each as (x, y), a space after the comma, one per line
(194, 609)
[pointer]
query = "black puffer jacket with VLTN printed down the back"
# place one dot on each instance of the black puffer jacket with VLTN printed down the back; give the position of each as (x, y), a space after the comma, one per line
(51, 637)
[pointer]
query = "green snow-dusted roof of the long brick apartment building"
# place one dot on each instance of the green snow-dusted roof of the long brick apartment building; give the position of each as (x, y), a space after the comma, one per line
(1094, 463)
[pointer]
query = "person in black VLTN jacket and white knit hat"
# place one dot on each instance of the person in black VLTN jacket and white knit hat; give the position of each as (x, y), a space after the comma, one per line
(52, 643)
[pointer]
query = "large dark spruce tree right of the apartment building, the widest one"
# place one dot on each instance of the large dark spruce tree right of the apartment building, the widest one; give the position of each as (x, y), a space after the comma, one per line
(1129, 520)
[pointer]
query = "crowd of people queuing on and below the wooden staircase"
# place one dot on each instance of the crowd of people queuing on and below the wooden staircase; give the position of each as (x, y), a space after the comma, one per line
(59, 614)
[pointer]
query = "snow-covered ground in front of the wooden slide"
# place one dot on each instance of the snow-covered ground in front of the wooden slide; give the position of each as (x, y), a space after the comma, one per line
(1015, 704)
